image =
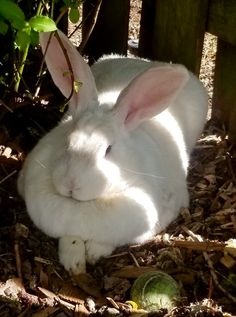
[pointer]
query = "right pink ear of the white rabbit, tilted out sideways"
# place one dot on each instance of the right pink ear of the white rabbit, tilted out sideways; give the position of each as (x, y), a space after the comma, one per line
(150, 93)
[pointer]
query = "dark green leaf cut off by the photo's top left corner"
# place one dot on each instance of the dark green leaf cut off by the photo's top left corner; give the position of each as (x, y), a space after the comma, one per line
(11, 12)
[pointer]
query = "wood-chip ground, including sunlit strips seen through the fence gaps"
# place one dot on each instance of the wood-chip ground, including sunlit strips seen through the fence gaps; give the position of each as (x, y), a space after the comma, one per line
(197, 249)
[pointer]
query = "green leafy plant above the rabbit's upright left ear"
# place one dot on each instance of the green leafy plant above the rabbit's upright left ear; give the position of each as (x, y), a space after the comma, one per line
(25, 31)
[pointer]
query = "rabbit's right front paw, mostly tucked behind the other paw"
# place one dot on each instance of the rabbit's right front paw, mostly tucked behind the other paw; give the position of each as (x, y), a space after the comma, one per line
(95, 250)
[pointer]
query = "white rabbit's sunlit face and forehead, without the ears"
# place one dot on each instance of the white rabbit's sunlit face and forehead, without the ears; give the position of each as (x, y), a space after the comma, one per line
(84, 170)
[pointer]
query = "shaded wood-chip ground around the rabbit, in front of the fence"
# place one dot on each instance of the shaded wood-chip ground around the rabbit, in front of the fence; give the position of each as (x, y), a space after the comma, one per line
(192, 250)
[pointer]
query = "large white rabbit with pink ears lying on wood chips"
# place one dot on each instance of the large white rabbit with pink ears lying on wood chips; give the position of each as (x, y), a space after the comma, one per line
(114, 170)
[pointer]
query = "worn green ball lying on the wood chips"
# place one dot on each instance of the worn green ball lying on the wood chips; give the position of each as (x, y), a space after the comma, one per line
(155, 290)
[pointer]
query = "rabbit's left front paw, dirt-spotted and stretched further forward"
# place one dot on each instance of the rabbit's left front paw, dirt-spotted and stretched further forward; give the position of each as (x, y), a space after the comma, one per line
(72, 254)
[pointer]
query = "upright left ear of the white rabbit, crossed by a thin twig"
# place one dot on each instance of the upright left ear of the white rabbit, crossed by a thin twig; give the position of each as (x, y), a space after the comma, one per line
(59, 69)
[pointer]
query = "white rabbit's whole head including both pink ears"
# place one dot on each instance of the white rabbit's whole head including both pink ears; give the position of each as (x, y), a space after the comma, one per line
(88, 167)
